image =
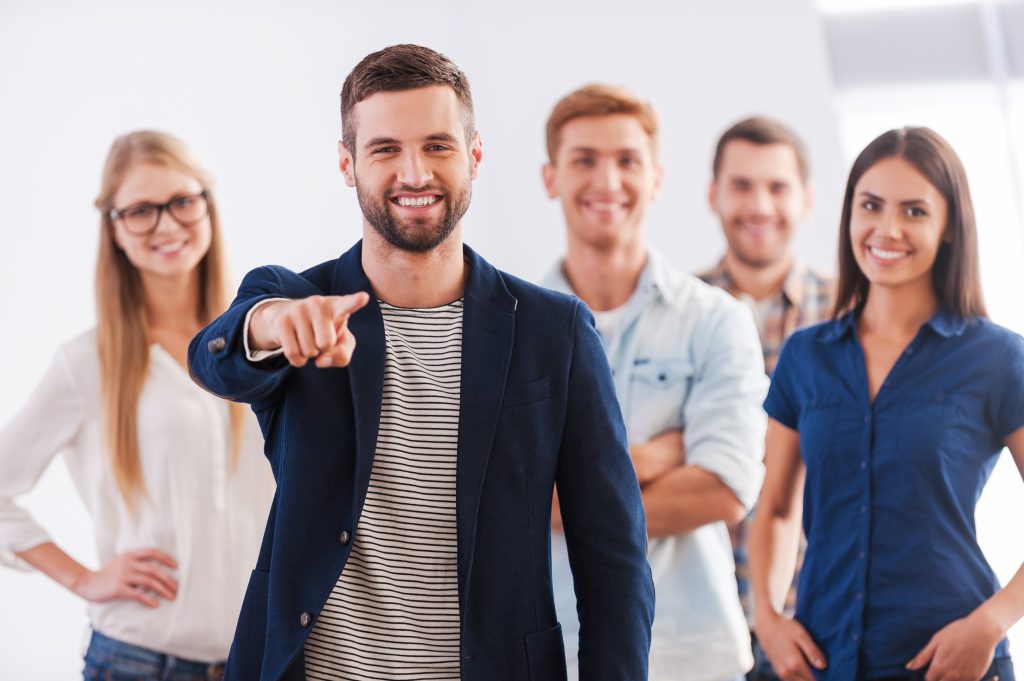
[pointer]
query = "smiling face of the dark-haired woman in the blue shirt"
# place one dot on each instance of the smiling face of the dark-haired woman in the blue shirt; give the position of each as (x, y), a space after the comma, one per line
(898, 225)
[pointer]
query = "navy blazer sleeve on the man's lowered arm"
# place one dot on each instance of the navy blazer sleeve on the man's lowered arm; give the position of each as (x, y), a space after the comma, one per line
(604, 520)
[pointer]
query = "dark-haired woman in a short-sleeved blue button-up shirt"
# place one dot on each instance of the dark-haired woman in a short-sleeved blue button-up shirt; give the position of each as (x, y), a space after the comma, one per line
(886, 423)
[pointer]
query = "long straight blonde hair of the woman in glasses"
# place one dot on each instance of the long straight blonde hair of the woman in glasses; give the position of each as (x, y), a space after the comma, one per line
(124, 351)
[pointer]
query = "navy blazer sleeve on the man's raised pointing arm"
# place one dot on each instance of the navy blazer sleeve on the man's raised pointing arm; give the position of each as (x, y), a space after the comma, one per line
(218, 356)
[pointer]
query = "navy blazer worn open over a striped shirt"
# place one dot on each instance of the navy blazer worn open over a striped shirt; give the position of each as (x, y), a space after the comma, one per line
(538, 407)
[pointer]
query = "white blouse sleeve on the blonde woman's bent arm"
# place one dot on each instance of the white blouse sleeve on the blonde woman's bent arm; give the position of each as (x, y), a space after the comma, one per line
(48, 423)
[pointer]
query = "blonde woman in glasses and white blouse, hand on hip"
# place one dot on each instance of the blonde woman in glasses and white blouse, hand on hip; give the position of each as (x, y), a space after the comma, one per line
(174, 478)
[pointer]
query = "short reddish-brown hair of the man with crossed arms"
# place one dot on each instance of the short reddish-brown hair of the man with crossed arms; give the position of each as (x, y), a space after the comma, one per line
(599, 100)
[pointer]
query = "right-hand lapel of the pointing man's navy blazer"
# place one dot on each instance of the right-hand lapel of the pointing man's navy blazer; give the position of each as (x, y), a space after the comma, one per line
(489, 326)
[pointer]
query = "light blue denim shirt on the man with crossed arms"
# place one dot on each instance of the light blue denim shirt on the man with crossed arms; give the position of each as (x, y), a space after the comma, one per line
(687, 357)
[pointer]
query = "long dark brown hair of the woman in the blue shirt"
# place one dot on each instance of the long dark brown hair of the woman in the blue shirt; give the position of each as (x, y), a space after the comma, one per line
(956, 273)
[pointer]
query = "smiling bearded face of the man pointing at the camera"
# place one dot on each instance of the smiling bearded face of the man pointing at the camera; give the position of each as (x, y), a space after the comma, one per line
(413, 167)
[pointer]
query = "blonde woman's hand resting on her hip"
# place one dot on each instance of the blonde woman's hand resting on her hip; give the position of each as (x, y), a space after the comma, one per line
(135, 576)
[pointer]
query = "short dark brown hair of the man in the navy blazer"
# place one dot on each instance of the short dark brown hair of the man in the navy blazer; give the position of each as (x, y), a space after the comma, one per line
(401, 68)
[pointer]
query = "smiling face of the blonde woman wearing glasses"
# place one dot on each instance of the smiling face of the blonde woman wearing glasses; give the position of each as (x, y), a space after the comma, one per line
(173, 250)
